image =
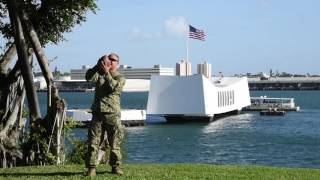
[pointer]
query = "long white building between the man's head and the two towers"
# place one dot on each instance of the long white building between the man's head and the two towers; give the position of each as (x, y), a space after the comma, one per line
(145, 73)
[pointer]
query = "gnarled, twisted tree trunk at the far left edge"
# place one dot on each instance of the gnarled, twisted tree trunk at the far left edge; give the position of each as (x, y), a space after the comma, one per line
(11, 122)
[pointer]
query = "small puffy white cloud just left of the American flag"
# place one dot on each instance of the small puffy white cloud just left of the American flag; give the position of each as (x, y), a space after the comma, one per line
(176, 26)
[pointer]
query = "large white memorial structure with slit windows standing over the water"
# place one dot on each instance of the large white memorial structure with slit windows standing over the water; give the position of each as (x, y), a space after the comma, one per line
(196, 97)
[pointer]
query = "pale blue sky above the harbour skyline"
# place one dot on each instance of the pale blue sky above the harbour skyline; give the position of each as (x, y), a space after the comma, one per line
(242, 36)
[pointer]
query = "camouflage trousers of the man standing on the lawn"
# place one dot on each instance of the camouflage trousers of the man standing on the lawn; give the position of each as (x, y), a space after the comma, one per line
(100, 124)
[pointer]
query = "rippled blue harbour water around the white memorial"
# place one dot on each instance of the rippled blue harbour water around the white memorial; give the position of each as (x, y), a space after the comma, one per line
(289, 141)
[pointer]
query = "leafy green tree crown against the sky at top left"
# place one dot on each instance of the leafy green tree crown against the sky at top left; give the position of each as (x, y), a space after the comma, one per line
(51, 18)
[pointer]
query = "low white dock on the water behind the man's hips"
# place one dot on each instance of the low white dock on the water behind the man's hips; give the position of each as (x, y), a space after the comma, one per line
(129, 117)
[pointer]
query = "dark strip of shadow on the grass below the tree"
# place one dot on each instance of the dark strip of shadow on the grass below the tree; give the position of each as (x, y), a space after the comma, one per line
(44, 174)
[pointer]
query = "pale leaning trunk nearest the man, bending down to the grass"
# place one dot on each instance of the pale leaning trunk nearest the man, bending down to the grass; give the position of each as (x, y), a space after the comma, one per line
(56, 109)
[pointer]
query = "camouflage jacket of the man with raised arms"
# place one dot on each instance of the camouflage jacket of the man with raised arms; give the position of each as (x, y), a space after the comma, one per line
(107, 90)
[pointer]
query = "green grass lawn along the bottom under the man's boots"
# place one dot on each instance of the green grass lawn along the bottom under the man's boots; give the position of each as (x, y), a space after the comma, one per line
(162, 171)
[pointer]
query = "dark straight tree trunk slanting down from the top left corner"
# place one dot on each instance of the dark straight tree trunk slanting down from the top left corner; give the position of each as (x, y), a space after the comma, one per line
(23, 59)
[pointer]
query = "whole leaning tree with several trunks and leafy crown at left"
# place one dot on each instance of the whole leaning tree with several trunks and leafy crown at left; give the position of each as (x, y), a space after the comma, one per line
(27, 26)
